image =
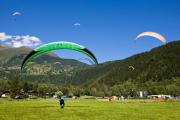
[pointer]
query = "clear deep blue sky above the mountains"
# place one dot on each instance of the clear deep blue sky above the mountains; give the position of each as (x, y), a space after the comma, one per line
(107, 27)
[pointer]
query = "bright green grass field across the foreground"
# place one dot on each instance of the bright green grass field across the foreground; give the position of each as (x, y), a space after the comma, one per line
(42, 109)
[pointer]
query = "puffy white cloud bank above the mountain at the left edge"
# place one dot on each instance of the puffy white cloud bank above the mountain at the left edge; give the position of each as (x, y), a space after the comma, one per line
(19, 41)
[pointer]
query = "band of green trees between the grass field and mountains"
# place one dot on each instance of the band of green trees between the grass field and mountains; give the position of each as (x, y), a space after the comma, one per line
(128, 88)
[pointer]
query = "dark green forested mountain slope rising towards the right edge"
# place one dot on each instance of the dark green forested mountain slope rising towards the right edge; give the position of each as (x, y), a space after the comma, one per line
(156, 65)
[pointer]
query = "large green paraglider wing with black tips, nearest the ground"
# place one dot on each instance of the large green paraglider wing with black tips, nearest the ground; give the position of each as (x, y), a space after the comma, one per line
(57, 46)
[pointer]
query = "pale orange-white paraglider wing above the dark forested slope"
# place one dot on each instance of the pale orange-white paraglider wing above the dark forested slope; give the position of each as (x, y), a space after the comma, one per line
(152, 34)
